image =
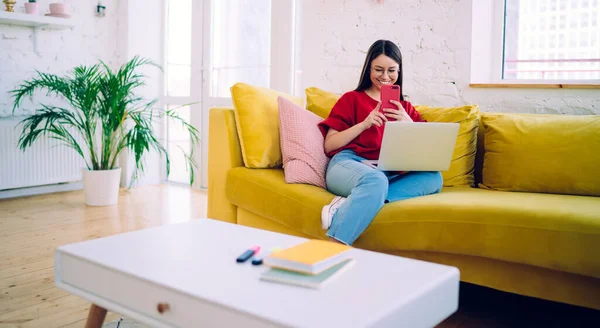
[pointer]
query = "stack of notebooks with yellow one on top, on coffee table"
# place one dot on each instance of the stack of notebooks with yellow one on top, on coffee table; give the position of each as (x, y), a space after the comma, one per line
(310, 264)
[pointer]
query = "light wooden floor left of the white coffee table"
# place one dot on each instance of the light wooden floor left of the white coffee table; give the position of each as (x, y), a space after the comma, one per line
(32, 227)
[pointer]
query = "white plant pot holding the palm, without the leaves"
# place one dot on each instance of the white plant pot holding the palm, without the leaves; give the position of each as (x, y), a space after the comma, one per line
(101, 187)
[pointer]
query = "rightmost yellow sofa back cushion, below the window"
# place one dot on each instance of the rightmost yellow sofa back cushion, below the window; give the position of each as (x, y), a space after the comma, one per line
(542, 153)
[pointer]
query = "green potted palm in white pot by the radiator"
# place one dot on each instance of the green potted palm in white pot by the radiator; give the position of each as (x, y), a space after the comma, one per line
(106, 118)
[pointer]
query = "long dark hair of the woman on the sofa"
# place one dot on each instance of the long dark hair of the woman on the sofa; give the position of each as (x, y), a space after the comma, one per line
(380, 47)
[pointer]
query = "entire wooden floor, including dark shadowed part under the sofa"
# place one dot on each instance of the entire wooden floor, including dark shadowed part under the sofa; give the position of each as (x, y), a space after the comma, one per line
(32, 227)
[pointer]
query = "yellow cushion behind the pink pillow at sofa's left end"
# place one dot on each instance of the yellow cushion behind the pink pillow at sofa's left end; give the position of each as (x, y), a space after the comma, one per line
(257, 123)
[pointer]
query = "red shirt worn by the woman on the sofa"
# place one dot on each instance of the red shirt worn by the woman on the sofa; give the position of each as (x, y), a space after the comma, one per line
(352, 108)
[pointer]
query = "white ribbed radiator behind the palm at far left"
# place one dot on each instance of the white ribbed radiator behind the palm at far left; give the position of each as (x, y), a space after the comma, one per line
(46, 162)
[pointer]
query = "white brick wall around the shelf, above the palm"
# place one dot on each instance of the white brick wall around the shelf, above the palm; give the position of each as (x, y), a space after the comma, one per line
(93, 38)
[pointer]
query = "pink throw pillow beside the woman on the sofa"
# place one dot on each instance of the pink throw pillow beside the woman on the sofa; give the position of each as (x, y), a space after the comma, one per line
(304, 159)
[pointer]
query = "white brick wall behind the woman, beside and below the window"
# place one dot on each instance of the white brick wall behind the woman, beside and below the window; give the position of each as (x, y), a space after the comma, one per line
(434, 37)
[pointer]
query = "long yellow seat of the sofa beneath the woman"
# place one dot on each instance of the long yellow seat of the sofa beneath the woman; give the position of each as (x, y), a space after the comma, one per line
(559, 232)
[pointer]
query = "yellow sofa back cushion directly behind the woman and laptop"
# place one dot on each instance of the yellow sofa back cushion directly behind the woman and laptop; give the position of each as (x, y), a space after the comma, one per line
(461, 171)
